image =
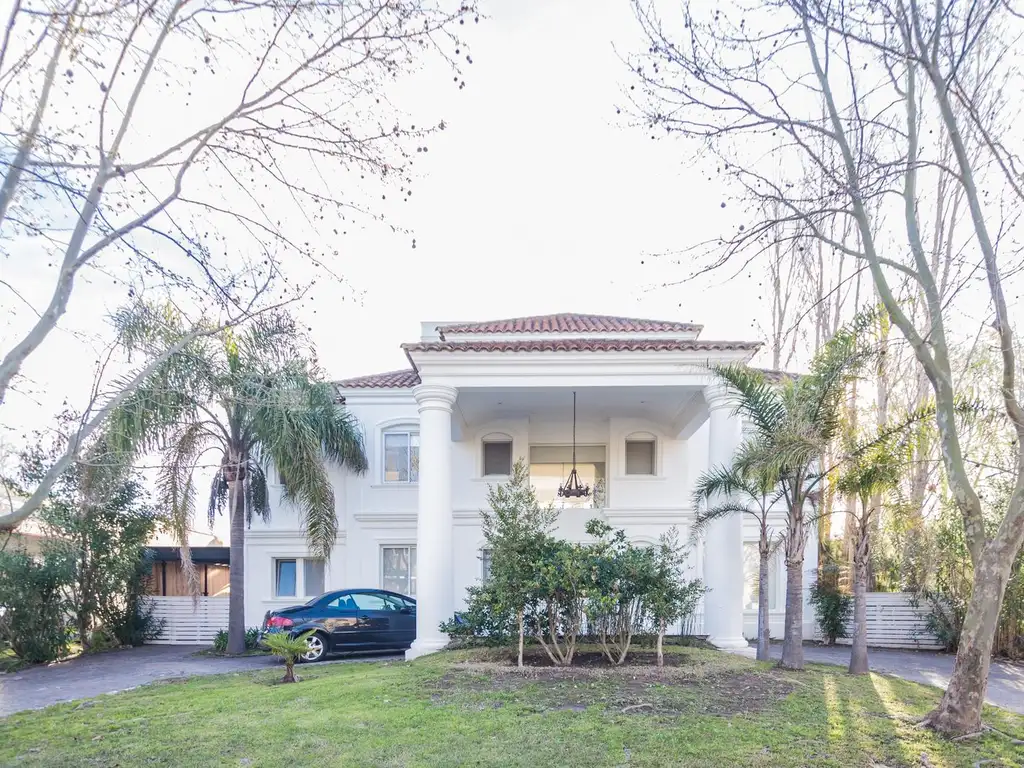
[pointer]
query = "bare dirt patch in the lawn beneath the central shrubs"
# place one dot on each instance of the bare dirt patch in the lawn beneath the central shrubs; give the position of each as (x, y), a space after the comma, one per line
(635, 690)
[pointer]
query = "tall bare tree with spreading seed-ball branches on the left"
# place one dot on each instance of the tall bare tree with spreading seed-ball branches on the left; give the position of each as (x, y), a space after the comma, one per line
(210, 152)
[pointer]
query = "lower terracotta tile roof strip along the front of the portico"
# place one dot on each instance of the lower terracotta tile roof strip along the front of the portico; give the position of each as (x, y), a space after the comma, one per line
(581, 346)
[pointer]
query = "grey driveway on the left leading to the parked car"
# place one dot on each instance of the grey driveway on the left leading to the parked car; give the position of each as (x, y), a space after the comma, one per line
(119, 670)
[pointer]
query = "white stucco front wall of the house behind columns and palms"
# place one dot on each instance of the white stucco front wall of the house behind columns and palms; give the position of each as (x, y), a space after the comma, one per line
(373, 516)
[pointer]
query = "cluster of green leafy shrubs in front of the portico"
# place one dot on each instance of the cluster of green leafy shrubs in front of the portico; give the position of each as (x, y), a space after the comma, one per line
(553, 586)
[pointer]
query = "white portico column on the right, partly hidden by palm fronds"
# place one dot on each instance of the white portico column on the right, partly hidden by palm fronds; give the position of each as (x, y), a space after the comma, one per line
(724, 540)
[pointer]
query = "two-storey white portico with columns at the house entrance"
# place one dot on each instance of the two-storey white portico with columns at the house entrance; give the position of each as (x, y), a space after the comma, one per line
(471, 381)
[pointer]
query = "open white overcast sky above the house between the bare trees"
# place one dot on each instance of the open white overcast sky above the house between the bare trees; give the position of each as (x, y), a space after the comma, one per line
(538, 198)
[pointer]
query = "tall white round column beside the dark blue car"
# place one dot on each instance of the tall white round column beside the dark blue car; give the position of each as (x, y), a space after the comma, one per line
(435, 602)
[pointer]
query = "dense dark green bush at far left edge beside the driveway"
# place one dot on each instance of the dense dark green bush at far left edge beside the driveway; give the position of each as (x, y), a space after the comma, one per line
(36, 605)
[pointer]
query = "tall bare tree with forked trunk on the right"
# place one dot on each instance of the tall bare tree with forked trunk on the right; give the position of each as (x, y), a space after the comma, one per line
(891, 74)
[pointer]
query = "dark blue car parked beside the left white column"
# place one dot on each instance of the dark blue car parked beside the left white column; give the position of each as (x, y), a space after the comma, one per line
(349, 621)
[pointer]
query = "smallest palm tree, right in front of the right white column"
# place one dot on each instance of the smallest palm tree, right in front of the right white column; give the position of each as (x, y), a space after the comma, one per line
(750, 493)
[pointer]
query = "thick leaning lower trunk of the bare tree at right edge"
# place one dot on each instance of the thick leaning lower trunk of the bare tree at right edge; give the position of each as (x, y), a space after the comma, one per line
(960, 710)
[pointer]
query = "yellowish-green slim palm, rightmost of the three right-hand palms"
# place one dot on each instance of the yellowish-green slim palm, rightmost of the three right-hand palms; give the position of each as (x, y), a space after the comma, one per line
(868, 478)
